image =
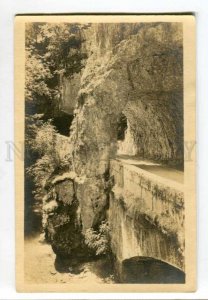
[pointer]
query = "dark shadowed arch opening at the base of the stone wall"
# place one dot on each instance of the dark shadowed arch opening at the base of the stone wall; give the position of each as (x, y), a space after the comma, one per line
(150, 270)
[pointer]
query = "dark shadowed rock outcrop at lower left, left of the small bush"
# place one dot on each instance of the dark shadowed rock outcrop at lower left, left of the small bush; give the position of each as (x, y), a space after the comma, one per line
(62, 221)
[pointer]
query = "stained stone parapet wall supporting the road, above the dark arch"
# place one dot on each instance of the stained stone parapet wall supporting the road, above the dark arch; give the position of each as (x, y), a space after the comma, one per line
(150, 211)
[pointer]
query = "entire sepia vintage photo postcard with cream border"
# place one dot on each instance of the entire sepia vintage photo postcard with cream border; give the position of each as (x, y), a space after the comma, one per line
(105, 183)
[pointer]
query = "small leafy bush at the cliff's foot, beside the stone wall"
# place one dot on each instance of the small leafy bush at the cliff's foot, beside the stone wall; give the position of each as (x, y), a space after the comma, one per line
(99, 241)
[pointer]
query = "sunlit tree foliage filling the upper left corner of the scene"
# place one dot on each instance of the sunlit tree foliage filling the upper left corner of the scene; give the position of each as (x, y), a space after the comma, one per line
(52, 50)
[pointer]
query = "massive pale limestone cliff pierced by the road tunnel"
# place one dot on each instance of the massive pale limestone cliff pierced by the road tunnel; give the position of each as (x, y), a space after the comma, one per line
(135, 70)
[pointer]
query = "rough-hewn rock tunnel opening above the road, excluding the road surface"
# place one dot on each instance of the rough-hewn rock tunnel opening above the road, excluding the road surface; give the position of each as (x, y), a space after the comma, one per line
(153, 130)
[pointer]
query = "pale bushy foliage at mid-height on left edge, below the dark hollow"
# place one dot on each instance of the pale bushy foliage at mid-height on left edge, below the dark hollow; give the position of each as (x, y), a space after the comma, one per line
(52, 152)
